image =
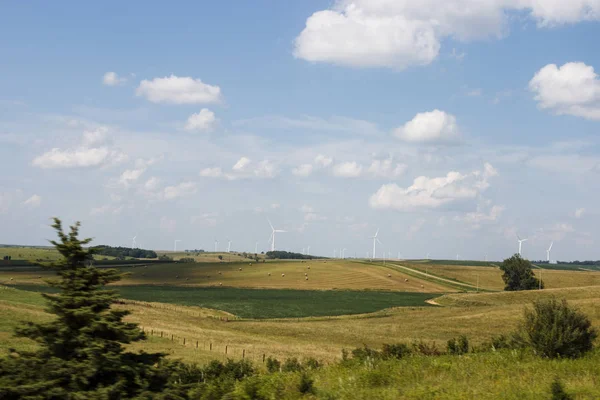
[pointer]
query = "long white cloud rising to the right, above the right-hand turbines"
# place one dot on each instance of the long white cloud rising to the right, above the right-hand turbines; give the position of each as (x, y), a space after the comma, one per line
(431, 193)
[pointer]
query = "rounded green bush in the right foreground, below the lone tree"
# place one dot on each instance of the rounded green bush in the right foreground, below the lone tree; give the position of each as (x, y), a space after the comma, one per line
(554, 329)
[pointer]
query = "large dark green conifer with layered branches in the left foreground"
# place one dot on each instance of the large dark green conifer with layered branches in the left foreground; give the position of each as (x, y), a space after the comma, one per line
(81, 353)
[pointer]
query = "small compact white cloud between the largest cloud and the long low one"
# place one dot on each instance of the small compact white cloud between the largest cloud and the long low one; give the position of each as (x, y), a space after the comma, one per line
(428, 127)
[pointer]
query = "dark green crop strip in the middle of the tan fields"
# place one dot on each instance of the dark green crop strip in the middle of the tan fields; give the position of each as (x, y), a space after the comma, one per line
(269, 303)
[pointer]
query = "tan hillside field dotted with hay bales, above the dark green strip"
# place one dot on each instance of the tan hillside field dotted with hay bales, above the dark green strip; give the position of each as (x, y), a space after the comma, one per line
(322, 275)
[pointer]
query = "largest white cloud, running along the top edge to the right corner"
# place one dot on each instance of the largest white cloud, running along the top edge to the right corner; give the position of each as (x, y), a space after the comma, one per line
(402, 33)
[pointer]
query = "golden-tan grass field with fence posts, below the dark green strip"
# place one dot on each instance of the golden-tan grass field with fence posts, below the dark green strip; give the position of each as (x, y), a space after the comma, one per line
(479, 316)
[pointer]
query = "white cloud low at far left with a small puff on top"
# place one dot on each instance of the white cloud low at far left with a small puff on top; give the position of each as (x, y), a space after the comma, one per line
(88, 154)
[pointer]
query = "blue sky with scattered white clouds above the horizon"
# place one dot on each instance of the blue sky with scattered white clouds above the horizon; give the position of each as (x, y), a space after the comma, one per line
(449, 127)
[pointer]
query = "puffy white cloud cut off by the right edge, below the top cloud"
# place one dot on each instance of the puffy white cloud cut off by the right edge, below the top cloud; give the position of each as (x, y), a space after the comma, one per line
(573, 89)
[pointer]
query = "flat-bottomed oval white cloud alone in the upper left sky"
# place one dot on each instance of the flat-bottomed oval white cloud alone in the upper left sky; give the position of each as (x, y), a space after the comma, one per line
(179, 90)
